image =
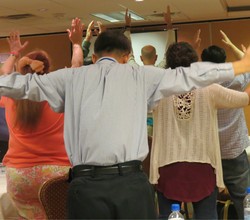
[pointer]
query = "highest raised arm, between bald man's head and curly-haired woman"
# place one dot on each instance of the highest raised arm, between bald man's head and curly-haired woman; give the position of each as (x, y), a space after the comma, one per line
(170, 35)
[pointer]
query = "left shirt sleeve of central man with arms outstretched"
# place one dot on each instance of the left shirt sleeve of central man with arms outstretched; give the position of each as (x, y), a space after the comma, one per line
(48, 87)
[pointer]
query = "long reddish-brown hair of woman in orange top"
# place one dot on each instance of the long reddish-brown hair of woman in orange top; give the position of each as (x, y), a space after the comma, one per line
(28, 113)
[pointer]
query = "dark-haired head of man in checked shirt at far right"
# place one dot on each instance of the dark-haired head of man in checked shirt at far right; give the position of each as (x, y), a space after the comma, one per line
(214, 54)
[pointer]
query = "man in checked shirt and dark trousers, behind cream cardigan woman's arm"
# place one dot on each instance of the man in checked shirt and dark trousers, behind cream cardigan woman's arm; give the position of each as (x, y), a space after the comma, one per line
(233, 134)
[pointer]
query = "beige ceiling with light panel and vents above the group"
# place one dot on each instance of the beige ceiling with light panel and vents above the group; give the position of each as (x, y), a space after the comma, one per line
(52, 16)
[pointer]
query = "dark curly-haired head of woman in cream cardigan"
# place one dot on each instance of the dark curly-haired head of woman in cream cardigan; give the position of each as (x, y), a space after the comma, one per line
(180, 54)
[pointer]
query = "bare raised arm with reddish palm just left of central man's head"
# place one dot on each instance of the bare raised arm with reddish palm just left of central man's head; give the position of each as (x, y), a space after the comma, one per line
(75, 36)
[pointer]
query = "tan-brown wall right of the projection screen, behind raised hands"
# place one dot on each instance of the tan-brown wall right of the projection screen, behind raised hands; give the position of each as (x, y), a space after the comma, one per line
(238, 31)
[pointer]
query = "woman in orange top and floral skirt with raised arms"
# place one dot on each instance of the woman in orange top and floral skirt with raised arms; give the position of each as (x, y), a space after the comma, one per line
(36, 147)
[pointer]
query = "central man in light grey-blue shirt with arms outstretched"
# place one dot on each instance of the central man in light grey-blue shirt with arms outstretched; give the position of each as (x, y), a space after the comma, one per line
(105, 107)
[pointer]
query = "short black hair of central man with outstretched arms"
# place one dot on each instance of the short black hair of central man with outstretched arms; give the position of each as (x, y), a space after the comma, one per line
(112, 41)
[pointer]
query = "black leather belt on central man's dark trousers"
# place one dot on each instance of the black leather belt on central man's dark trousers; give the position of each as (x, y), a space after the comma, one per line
(120, 168)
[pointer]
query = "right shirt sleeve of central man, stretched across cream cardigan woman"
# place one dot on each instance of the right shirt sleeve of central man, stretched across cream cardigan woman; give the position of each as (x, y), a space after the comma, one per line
(184, 79)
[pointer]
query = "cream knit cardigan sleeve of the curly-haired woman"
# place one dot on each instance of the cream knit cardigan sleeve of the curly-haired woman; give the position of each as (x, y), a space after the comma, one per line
(228, 98)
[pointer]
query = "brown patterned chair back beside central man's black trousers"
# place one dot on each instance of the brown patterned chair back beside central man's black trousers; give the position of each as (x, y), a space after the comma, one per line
(53, 196)
